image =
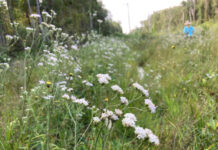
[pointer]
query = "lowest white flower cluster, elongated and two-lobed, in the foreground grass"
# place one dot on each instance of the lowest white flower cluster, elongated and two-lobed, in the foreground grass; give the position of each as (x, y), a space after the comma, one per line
(144, 133)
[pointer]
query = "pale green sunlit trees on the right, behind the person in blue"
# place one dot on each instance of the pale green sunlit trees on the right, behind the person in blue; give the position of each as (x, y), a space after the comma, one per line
(172, 18)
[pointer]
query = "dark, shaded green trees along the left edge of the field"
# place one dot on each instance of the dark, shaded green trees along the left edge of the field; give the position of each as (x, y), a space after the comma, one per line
(73, 16)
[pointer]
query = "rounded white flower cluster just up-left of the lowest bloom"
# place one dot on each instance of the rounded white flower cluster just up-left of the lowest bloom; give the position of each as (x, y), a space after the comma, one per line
(129, 120)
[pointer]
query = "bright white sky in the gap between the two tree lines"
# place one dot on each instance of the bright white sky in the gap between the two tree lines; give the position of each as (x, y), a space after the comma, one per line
(139, 10)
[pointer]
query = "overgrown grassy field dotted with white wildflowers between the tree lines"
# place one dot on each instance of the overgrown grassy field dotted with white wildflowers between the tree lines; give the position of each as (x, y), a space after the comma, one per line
(138, 92)
